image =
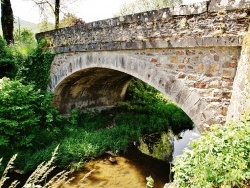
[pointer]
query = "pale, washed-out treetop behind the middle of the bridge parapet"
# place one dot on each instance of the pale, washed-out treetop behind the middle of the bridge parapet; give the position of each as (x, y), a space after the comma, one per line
(145, 5)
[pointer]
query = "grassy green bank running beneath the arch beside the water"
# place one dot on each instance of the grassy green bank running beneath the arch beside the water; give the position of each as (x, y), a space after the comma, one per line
(89, 134)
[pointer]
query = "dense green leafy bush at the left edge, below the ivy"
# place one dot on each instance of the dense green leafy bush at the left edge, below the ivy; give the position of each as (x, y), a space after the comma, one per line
(17, 115)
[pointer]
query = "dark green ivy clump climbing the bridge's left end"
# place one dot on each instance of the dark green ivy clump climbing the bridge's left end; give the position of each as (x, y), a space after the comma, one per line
(36, 68)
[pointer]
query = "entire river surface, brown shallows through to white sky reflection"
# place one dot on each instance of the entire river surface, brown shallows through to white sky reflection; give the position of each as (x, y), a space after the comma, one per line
(132, 168)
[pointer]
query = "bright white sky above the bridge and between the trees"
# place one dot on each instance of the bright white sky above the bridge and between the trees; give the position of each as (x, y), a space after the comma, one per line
(88, 10)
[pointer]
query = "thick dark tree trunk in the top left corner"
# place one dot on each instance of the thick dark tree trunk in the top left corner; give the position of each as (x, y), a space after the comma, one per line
(7, 20)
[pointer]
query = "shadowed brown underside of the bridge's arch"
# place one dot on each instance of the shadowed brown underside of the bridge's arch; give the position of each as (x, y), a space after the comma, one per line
(92, 87)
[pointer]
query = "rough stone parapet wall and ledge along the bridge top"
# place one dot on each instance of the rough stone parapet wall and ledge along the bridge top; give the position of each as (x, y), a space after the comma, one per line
(169, 27)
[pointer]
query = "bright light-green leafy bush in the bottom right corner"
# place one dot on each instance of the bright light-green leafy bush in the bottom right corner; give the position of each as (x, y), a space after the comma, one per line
(220, 158)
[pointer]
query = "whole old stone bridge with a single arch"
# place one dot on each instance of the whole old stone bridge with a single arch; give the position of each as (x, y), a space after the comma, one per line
(191, 53)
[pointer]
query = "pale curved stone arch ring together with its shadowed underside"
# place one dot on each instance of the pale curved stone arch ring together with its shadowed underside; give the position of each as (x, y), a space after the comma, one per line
(68, 70)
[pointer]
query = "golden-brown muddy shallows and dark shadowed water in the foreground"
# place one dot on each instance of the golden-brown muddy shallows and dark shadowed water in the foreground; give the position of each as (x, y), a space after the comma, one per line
(130, 170)
